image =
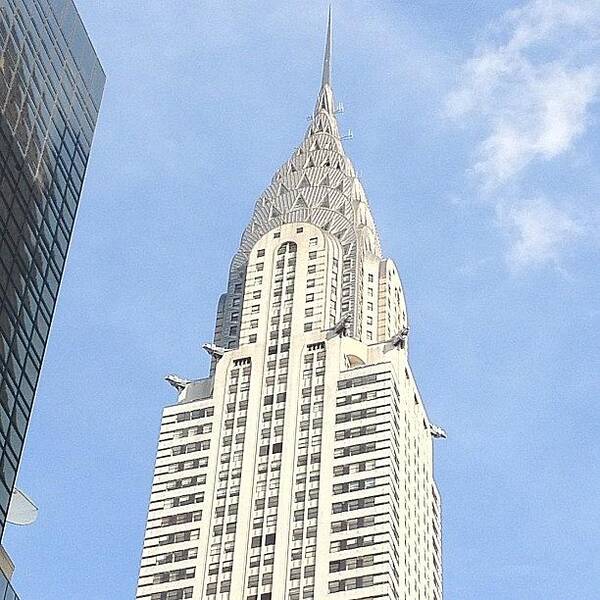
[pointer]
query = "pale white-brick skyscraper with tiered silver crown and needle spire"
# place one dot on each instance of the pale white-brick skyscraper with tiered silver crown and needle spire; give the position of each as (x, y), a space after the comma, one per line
(302, 466)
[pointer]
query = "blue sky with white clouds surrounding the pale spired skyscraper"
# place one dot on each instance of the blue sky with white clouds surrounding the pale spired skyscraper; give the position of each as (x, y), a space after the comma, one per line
(476, 136)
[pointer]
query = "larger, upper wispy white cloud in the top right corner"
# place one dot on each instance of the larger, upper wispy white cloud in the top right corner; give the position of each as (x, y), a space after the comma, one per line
(533, 88)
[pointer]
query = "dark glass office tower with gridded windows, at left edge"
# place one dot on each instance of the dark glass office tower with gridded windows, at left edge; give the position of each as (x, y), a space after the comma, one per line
(51, 85)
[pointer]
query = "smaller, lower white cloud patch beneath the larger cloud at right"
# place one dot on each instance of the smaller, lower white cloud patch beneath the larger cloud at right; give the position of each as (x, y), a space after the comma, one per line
(539, 232)
